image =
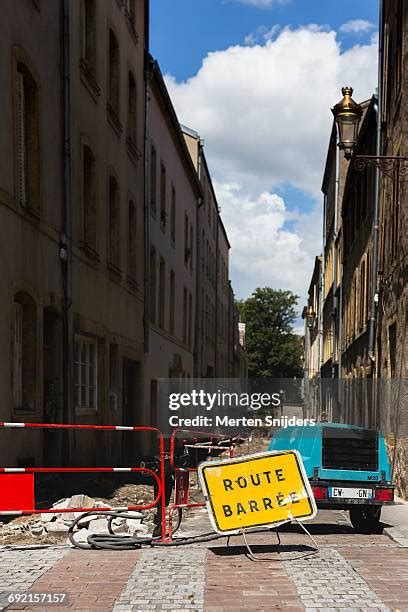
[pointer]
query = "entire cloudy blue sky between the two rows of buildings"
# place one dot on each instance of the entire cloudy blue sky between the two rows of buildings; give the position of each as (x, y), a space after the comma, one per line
(256, 79)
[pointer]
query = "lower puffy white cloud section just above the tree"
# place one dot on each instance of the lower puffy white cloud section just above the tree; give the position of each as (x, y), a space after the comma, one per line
(264, 251)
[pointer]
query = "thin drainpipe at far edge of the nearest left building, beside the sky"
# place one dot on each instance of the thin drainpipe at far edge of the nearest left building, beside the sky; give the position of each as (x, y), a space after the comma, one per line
(146, 219)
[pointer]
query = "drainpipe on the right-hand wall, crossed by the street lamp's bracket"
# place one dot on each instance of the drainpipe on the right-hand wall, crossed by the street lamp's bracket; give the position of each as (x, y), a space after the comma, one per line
(374, 294)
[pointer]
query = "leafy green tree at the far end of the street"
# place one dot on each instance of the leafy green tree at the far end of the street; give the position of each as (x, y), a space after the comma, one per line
(274, 350)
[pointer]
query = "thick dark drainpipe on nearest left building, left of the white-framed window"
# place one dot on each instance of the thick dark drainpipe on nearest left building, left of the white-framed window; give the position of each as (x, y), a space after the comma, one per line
(65, 248)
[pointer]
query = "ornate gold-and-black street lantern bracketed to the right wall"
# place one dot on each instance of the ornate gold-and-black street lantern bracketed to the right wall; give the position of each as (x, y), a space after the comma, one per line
(347, 114)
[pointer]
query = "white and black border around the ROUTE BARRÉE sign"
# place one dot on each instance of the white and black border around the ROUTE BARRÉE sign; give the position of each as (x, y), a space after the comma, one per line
(210, 508)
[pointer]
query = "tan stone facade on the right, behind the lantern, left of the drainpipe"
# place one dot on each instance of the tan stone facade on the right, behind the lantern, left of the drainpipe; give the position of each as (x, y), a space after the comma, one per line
(357, 260)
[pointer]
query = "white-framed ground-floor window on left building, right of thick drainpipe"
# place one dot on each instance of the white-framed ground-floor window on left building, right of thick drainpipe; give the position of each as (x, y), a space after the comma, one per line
(85, 373)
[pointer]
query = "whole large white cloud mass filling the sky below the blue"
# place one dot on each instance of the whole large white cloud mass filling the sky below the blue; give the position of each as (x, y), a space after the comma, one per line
(264, 113)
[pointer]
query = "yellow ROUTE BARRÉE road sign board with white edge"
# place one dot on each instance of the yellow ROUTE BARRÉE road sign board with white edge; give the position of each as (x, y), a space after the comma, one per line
(262, 489)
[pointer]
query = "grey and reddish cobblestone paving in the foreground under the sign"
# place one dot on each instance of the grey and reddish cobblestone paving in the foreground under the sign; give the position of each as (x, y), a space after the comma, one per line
(350, 572)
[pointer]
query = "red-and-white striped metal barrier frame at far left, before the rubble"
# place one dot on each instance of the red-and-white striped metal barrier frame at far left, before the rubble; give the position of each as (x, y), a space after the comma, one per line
(160, 480)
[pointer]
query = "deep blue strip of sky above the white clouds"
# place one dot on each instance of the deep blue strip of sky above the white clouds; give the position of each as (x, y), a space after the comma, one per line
(184, 31)
